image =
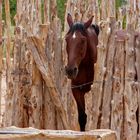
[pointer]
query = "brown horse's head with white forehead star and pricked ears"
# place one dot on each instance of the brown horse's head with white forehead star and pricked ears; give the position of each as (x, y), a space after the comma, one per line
(76, 45)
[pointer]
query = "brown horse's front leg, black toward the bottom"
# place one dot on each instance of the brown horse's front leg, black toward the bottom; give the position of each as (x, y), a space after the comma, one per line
(80, 100)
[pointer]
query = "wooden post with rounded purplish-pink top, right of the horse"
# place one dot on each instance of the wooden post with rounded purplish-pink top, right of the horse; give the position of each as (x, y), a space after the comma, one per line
(117, 106)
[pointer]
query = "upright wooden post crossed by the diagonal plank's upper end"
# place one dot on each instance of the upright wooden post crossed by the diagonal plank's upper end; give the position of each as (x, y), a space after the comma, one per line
(36, 99)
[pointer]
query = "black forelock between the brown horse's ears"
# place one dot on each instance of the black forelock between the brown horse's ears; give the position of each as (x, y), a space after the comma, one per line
(78, 26)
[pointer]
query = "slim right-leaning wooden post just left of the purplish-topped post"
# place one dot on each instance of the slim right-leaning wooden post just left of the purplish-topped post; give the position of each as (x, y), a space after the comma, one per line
(107, 87)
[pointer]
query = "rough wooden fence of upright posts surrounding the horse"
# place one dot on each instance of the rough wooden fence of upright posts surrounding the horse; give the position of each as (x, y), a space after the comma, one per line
(38, 92)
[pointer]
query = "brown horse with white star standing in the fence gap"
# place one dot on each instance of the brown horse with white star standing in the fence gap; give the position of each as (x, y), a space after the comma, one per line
(81, 48)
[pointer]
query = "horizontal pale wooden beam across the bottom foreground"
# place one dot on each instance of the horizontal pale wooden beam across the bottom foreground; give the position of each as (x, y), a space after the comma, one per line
(35, 134)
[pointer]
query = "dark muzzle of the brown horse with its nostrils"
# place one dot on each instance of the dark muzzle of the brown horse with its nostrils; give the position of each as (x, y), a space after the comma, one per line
(71, 72)
